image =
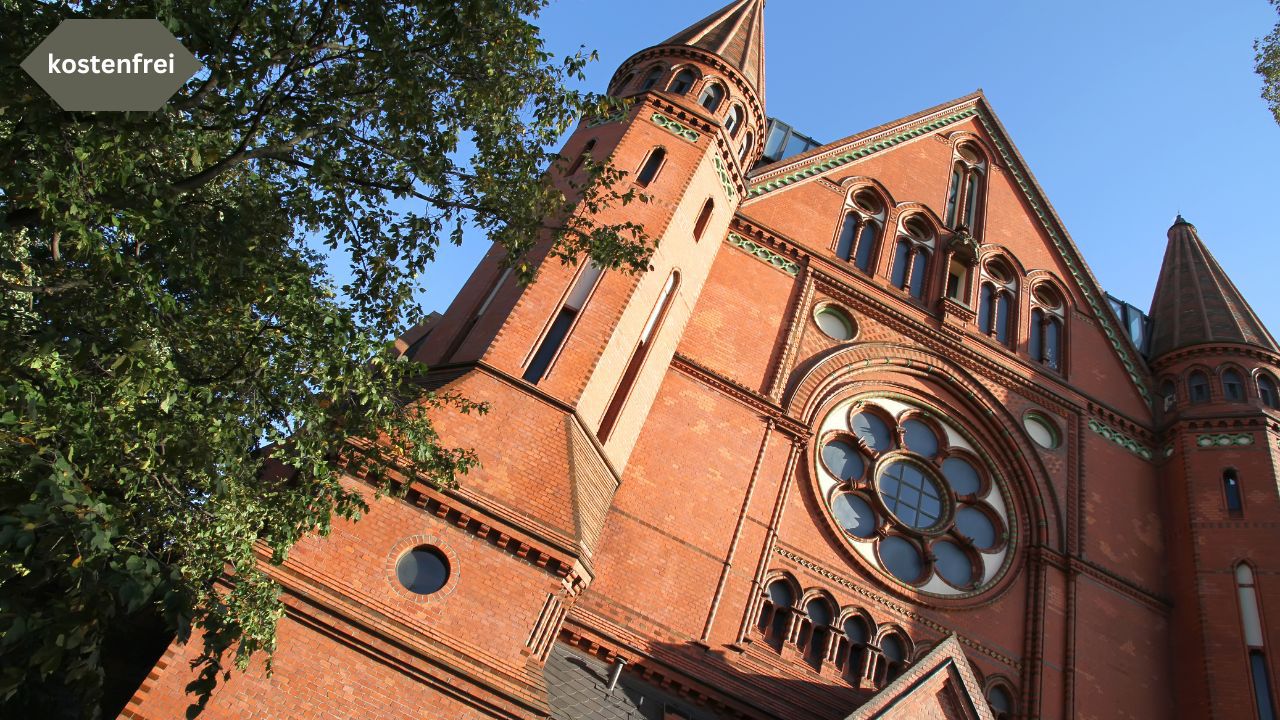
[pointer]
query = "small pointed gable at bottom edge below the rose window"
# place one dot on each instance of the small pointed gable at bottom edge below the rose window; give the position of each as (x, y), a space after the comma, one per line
(940, 685)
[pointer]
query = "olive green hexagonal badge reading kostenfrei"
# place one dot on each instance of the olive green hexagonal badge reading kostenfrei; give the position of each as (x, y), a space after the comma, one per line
(111, 65)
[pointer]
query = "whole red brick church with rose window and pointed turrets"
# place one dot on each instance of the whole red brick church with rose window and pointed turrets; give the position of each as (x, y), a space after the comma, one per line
(867, 441)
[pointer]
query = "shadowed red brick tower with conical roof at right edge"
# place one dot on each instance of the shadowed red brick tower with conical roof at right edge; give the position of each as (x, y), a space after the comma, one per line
(1217, 371)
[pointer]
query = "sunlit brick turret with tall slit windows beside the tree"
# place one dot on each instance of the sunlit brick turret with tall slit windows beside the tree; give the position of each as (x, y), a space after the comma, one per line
(597, 341)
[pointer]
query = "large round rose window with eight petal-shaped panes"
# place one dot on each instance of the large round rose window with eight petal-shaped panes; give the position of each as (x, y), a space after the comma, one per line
(913, 498)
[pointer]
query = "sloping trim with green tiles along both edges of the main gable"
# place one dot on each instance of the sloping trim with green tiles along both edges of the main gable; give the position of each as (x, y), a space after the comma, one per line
(819, 162)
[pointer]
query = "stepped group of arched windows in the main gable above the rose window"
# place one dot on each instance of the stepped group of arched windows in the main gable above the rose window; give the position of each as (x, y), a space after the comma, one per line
(986, 282)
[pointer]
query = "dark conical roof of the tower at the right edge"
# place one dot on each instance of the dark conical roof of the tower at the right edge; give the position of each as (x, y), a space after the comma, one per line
(1196, 303)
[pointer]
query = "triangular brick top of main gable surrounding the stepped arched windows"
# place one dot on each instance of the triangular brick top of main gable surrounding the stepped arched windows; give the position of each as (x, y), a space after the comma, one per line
(802, 199)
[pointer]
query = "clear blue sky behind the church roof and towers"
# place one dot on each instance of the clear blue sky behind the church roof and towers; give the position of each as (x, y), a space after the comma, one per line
(1127, 113)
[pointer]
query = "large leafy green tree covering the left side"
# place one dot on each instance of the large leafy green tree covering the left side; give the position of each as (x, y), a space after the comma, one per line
(164, 327)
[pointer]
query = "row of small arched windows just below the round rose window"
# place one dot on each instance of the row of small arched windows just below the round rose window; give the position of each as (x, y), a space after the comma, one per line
(848, 640)
